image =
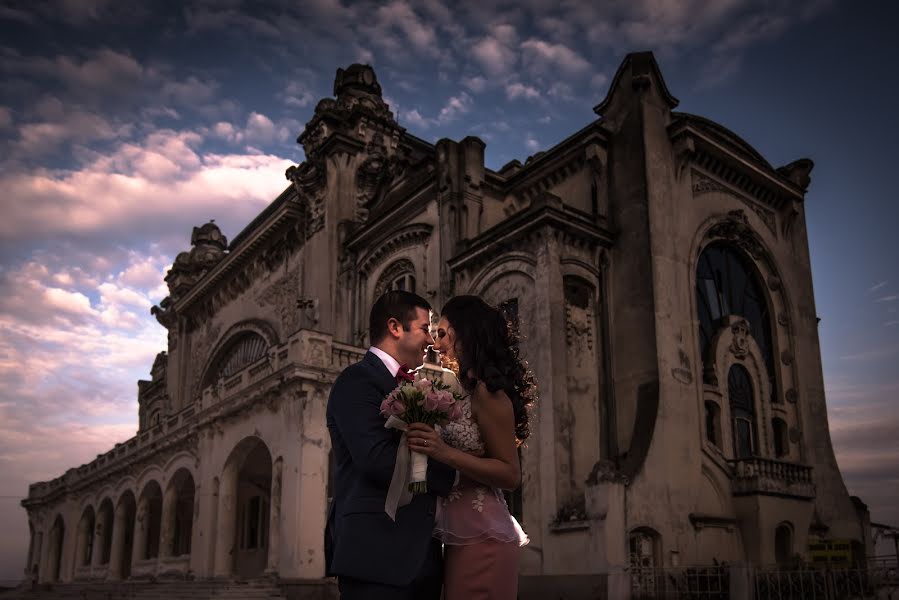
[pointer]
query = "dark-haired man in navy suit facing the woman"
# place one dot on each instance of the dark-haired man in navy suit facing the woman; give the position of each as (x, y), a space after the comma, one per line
(372, 555)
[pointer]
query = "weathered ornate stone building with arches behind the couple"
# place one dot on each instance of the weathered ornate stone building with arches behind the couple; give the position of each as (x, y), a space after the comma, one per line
(657, 268)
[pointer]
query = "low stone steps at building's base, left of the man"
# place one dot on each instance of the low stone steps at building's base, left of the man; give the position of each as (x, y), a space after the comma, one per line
(235, 589)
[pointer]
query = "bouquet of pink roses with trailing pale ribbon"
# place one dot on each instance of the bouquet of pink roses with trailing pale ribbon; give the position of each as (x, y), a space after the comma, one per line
(422, 401)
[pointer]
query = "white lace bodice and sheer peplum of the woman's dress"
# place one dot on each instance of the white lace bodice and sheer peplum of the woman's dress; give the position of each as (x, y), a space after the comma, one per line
(473, 512)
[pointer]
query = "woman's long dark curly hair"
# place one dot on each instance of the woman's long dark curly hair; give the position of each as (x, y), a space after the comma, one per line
(487, 350)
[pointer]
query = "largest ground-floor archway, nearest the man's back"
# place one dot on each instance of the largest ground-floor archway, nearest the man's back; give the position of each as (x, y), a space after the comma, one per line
(244, 510)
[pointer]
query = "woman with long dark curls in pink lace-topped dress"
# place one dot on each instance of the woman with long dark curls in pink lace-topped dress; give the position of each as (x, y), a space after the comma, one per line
(481, 539)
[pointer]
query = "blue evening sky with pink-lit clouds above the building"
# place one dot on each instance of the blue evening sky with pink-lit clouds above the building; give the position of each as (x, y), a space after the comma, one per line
(122, 125)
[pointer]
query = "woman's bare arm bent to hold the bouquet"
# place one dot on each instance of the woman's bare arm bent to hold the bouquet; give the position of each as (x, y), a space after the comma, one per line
(499, 467)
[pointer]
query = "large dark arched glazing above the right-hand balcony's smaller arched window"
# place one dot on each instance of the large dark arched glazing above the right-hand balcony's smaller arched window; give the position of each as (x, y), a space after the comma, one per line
(727, 283)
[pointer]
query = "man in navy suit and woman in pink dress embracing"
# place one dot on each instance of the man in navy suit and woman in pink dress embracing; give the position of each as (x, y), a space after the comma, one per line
(458, 536)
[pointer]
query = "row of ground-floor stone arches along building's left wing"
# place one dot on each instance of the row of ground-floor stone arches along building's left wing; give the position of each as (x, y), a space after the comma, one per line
(147, 526)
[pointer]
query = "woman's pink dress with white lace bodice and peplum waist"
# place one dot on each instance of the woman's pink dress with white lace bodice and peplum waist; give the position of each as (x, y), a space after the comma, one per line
(481, 539)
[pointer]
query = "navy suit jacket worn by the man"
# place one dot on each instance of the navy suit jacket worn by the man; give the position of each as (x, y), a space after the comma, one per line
(361, 541)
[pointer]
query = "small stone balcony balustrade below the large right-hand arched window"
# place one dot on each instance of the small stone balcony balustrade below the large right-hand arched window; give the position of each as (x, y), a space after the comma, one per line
(773, 477)
